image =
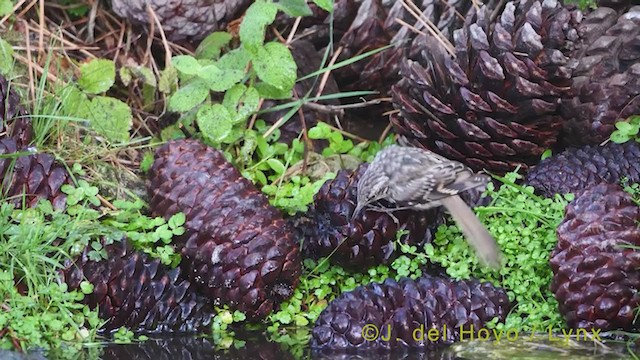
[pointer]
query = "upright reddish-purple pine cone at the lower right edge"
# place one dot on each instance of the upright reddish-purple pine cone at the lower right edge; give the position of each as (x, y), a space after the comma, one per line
(596, 279)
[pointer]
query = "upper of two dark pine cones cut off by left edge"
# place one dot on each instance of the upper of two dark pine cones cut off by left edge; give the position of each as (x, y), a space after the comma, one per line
(15, 121)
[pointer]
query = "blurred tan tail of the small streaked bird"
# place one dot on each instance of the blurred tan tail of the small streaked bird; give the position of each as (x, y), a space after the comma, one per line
(477, 235)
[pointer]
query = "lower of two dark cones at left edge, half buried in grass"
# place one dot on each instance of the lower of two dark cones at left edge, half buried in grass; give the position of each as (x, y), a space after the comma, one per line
(26, 179)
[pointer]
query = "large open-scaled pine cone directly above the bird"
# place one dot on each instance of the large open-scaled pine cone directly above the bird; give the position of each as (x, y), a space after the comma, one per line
(496, 104)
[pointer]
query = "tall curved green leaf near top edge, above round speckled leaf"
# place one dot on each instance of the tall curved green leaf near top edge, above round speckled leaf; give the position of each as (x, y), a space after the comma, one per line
(252, 29)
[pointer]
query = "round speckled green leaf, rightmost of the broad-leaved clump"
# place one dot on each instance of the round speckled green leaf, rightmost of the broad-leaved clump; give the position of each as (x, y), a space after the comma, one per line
(275, 66)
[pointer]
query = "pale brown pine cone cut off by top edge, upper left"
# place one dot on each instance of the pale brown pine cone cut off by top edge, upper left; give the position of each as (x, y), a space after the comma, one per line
(182, 19)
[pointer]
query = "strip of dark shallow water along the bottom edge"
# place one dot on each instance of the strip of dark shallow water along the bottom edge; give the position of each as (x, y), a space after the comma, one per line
(538, 347)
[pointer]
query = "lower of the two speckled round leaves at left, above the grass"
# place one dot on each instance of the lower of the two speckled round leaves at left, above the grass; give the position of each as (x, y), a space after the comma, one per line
(111, 118)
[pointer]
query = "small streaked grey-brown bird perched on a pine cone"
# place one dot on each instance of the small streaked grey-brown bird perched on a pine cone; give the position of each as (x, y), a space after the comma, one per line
(417, 179)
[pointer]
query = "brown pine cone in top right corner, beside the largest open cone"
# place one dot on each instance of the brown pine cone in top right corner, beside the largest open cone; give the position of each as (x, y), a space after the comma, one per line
(606, 79)
